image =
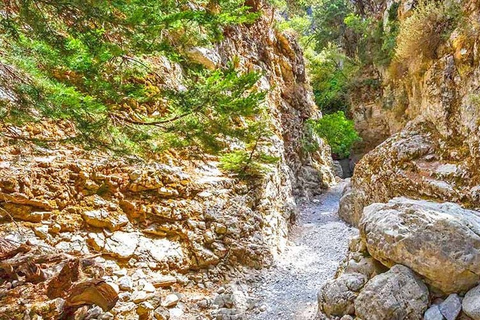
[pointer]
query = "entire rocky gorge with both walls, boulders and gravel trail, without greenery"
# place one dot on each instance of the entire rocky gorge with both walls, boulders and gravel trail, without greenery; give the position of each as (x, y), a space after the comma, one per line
(85, 234)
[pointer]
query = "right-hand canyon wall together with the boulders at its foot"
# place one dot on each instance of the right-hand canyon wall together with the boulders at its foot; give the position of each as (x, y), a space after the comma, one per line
(415, 195)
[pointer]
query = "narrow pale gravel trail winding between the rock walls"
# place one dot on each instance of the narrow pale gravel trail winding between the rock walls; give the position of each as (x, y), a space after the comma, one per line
(317, 244)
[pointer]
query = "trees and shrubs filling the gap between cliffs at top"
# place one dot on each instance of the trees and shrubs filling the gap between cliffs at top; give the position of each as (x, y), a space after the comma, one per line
(339, 44)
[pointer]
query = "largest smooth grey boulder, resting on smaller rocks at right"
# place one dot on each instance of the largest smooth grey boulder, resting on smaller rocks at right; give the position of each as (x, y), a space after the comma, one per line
(440, 241)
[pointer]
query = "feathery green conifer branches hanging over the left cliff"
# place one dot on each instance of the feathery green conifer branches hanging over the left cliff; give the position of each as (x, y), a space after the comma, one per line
(95, 64)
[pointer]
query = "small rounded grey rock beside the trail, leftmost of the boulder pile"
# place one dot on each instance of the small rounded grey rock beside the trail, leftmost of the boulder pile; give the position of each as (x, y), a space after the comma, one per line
(337, 296)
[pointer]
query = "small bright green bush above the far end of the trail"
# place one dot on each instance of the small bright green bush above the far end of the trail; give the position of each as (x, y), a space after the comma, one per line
(338, 131)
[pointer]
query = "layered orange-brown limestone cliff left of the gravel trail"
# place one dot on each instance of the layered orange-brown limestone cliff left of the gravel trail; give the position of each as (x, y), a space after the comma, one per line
(157, 227)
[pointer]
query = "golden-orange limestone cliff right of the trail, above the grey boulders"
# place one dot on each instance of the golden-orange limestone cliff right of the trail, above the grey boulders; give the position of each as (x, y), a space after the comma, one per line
(433, 152)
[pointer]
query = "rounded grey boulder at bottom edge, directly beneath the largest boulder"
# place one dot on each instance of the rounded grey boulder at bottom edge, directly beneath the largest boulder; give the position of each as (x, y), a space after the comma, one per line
(396, 294)
